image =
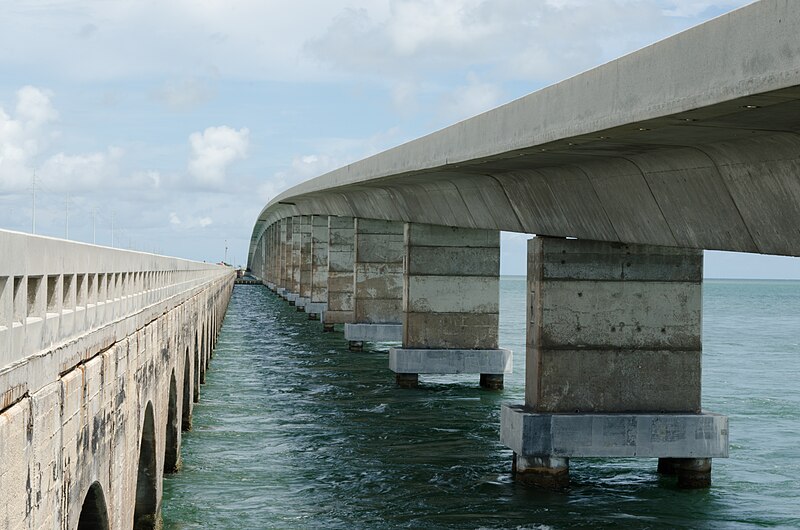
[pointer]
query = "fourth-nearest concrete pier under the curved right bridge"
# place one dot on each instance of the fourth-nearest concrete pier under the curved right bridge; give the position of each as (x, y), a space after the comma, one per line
(340, 272)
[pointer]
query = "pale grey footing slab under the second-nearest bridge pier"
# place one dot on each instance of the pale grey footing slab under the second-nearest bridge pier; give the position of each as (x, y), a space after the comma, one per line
(450, 361)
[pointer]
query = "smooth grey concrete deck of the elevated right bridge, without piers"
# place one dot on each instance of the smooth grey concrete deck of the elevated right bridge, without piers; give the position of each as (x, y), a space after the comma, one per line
(691, 142)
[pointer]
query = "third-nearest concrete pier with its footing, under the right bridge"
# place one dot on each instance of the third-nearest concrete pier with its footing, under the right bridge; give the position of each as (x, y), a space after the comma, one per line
(378, 283)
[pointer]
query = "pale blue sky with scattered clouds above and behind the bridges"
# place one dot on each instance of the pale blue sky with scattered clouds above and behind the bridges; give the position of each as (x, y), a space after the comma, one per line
(165, 126)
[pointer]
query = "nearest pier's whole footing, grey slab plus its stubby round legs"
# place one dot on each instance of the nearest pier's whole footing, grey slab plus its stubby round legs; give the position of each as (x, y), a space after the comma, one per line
(543, 443)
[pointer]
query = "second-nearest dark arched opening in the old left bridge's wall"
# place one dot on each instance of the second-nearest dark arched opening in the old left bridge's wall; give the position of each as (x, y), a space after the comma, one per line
(145, 511)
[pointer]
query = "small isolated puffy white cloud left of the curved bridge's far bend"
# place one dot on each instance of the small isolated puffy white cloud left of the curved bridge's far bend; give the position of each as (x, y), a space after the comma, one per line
(213, 150)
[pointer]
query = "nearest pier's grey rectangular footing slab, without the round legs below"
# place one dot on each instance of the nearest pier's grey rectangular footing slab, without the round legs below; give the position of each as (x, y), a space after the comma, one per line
(614, 435)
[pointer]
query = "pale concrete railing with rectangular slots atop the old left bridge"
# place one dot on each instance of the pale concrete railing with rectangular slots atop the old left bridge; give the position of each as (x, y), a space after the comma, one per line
(53, 291)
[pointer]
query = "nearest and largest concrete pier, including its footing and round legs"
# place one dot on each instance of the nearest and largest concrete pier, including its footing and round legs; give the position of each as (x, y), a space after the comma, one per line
(613, 361)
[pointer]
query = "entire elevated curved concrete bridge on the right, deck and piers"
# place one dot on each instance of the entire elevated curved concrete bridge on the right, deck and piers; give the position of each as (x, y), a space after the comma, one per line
(625, 173)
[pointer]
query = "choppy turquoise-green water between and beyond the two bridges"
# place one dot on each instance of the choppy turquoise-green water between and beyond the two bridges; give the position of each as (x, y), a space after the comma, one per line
(295, 431)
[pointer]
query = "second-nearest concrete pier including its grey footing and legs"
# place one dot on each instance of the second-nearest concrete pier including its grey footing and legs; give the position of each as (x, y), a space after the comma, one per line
(451, 305)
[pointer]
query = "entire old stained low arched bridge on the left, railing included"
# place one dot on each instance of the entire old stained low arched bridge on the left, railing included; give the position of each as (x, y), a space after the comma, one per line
(105, 336)
